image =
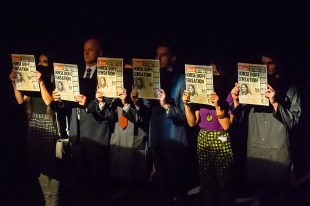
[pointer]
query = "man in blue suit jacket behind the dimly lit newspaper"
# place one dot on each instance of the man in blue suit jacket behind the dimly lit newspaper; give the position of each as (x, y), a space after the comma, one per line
(168, 125)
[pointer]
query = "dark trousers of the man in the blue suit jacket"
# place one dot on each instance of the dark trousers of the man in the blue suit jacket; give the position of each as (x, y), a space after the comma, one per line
(171, 168)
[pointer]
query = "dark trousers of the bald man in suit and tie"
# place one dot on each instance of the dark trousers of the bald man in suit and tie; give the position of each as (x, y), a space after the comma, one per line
(90, 172)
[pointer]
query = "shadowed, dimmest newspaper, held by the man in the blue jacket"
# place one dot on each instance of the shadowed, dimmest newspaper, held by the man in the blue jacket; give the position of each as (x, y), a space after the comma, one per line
(146, 75)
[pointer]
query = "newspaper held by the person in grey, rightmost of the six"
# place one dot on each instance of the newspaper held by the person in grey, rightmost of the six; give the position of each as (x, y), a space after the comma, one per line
(252, 80)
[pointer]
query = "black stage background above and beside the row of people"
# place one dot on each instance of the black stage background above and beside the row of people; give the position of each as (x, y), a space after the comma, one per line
(235, 30)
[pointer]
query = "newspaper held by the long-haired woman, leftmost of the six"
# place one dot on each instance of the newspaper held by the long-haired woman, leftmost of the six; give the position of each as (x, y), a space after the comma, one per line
(24, 65)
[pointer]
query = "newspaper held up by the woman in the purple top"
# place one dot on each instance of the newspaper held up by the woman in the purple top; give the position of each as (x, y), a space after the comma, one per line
(199, 83)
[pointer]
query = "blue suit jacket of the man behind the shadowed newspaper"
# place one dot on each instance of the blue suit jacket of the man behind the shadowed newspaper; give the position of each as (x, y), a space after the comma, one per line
(168, 129)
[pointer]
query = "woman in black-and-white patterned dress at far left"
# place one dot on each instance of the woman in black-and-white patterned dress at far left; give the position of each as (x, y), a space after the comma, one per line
(42, 131)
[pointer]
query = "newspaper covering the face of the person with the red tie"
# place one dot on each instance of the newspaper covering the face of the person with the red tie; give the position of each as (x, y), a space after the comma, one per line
(110, 76)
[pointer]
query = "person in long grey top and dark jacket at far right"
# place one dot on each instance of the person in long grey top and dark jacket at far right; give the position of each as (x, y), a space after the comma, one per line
(269, 167)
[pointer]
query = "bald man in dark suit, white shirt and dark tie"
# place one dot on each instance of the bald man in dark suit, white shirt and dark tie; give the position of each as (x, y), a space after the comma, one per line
(89, 131)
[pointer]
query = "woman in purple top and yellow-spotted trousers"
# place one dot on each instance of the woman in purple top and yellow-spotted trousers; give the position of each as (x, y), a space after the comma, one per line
(214, 150)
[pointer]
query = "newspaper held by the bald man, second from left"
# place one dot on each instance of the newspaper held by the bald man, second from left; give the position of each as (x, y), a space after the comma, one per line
(67, 80)
